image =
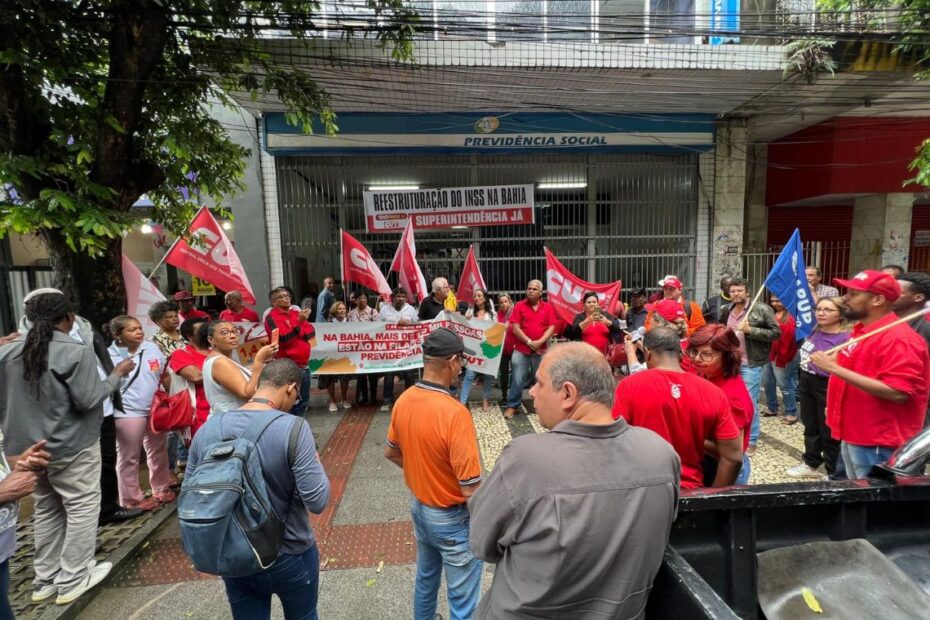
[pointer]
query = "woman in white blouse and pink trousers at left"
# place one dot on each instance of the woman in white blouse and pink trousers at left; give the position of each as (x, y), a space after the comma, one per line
(137, 390)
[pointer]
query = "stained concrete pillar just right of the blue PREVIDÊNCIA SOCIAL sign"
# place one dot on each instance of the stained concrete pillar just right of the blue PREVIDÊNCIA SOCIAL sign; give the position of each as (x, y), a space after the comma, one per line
(729, 199)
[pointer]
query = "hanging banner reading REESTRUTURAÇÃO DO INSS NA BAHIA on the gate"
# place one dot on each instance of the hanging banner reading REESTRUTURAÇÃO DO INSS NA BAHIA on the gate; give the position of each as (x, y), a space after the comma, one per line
(388, 210)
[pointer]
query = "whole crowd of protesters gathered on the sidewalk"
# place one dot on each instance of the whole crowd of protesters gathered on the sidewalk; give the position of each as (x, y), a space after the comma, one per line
(659, 396)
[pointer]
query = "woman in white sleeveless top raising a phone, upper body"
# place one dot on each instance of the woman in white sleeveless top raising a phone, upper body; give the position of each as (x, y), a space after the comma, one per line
(228, 384)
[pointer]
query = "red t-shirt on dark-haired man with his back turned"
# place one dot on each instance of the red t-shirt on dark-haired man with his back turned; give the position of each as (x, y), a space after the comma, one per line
(683, 409)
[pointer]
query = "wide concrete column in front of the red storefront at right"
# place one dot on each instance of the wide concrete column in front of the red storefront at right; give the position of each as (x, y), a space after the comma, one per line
(881, 231)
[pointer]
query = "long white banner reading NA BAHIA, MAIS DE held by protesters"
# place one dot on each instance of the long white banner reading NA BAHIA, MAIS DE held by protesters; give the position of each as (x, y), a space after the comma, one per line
(352, 348)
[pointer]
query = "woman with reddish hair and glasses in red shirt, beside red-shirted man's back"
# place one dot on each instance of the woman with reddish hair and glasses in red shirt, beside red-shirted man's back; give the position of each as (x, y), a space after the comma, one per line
(714, 349)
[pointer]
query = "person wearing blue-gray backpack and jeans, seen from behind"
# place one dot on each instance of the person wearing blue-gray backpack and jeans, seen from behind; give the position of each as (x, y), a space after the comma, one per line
(252, 475)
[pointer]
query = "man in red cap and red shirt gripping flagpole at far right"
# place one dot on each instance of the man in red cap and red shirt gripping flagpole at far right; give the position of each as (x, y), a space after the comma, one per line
(878, 390)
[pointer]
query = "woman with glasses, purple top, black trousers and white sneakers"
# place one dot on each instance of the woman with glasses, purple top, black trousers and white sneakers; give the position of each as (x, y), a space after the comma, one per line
(820, 448)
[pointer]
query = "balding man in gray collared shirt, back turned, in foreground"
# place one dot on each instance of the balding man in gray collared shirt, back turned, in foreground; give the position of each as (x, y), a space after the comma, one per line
(577, 519)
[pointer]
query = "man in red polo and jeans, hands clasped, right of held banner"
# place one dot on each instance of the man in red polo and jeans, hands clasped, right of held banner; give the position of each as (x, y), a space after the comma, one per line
(533, 322)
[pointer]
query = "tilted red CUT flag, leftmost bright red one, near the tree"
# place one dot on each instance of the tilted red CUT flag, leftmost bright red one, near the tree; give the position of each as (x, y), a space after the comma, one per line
(210, 256)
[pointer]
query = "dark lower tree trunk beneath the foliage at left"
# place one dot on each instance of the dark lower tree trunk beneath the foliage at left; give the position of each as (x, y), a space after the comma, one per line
(94, 285)
